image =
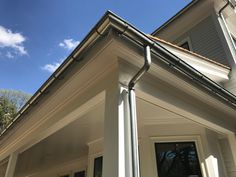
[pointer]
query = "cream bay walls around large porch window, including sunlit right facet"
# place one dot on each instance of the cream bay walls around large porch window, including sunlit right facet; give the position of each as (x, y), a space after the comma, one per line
(206, 143)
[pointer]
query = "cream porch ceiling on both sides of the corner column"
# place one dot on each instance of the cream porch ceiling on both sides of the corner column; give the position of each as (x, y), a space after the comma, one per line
(71, 142)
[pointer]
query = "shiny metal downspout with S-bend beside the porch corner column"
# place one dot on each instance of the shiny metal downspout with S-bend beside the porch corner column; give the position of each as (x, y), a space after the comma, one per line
(133, 115)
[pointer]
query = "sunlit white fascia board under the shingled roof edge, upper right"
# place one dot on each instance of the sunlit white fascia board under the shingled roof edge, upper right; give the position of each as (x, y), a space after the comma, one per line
(215, 72)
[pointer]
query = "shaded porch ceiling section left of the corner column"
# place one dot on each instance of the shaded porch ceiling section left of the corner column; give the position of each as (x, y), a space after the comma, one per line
(67, 144)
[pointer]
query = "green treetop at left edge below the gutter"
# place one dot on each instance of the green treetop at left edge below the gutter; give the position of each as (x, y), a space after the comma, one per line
(11, 101)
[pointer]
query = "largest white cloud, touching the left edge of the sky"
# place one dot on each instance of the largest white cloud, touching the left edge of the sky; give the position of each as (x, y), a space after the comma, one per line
(12, 40)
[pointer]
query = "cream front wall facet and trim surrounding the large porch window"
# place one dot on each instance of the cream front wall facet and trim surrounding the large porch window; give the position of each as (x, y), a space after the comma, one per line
(175, 132)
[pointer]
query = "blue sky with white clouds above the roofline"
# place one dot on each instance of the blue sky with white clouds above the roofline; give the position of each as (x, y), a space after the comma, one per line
(36, 35)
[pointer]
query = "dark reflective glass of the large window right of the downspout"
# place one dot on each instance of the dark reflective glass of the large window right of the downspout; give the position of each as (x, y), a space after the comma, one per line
(177, 159)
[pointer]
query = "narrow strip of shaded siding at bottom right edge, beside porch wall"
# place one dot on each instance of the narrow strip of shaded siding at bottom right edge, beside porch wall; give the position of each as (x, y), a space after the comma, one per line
(228, 159)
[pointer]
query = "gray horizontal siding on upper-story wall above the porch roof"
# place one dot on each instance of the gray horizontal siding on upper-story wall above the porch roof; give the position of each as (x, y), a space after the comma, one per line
(205, 40)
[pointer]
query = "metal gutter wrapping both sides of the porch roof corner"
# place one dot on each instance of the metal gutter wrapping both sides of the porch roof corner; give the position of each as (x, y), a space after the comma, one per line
(111, 21)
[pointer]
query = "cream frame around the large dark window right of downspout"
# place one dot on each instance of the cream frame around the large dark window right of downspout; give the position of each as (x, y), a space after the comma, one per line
(172, 139)
